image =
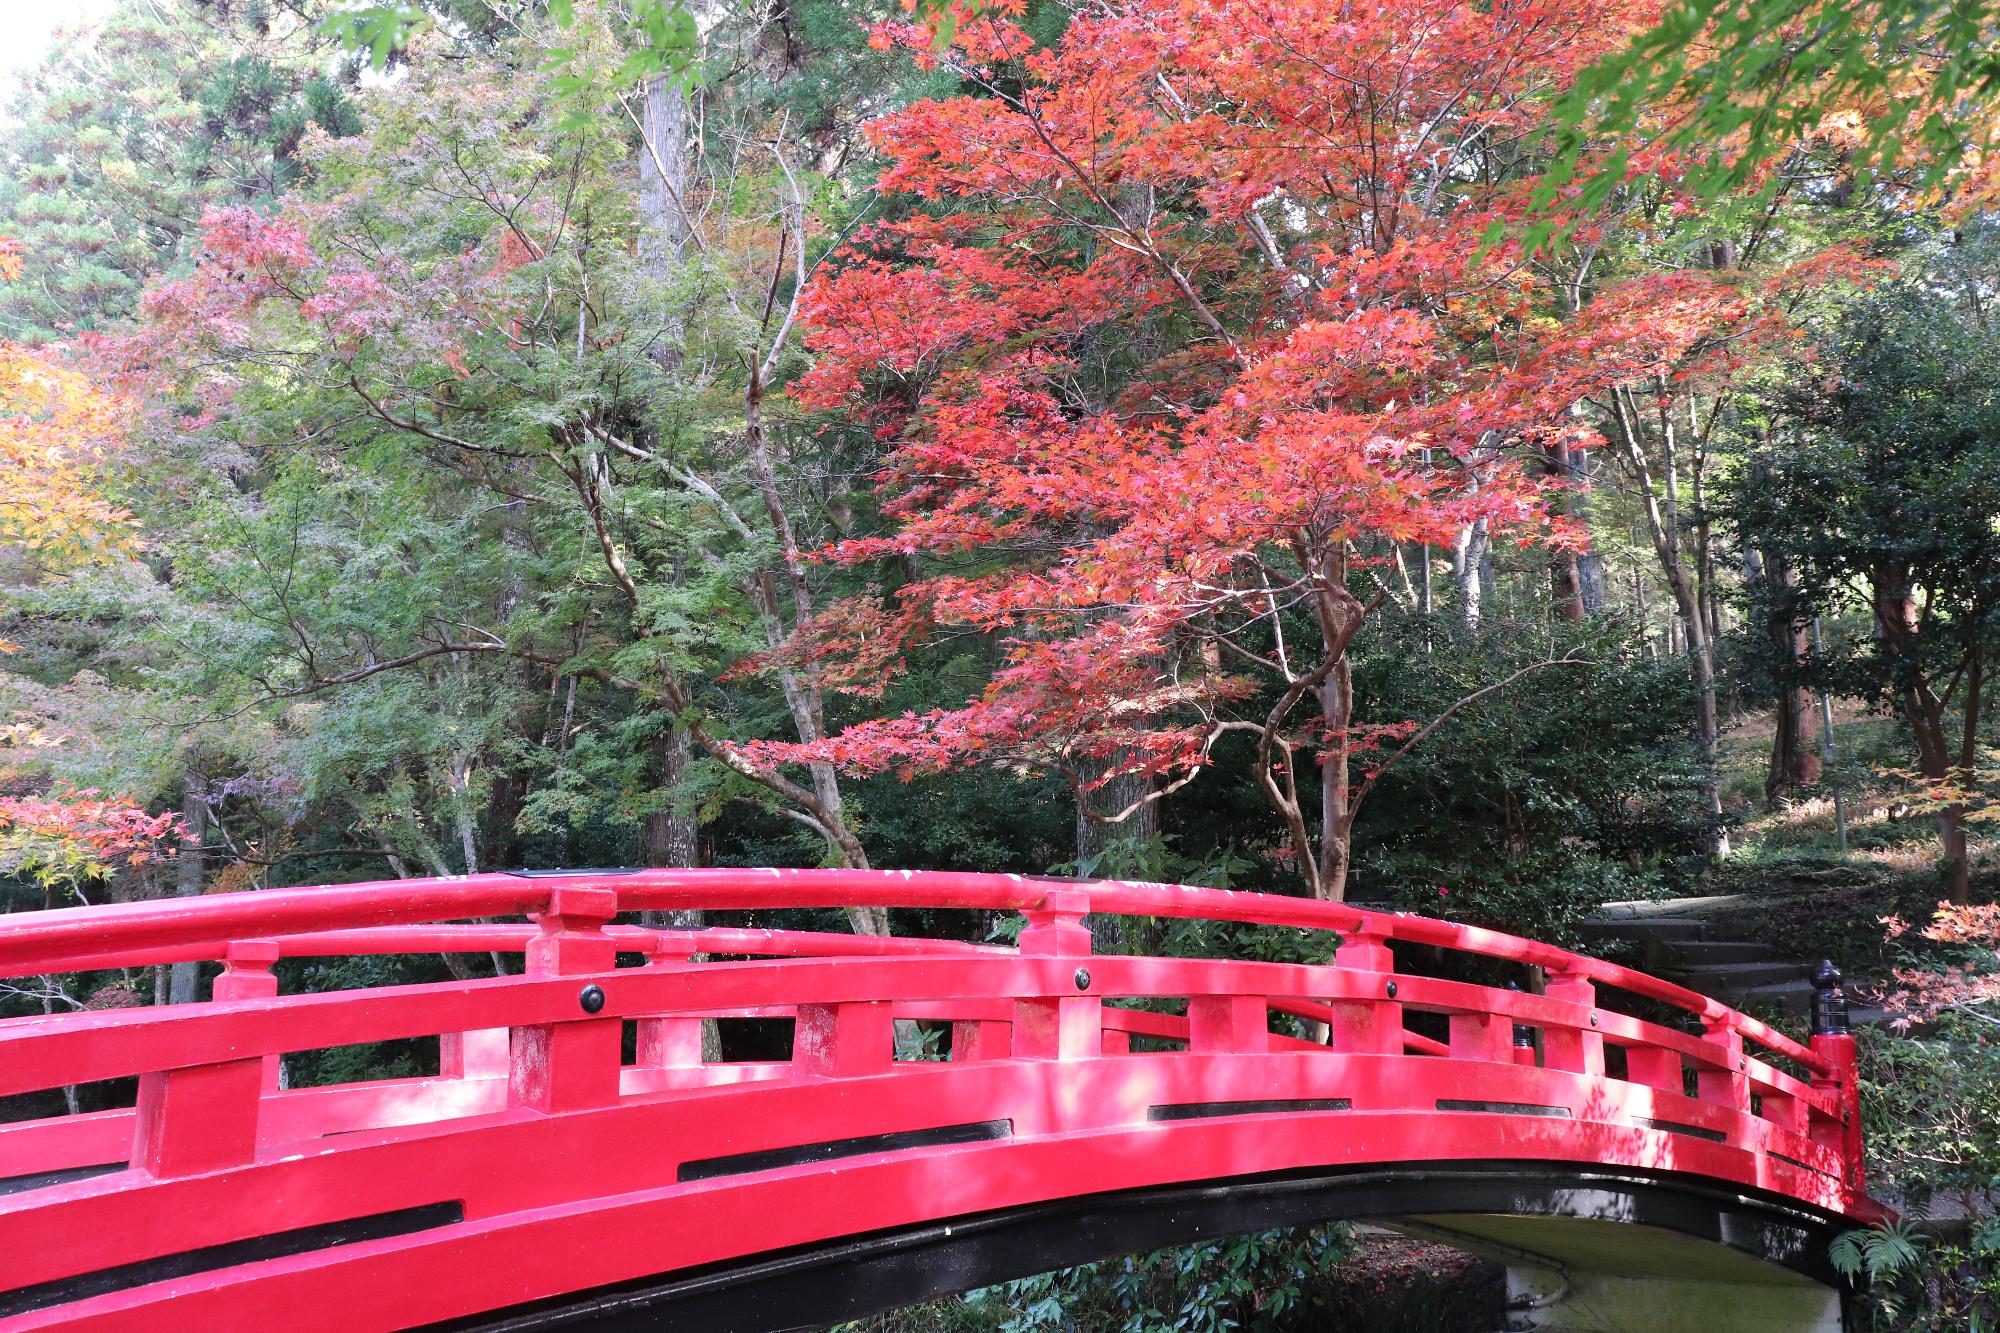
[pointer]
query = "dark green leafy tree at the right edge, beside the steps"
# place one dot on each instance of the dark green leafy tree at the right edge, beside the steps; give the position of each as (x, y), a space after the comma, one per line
(1877, 489)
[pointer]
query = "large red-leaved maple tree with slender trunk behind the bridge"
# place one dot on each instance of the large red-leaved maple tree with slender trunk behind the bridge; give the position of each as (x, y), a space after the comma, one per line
(1197, 317)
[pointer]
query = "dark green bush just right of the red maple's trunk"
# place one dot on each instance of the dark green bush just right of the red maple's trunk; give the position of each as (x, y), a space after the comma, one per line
(1571, 788)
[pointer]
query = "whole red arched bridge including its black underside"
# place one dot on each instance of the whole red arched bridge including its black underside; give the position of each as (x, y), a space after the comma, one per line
(1639, 1156)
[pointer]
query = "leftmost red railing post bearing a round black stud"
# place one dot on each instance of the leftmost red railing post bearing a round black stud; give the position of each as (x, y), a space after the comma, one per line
(569, 1066)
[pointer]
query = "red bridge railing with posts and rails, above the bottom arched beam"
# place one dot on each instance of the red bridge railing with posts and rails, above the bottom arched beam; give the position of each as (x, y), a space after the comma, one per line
(1737, 1096)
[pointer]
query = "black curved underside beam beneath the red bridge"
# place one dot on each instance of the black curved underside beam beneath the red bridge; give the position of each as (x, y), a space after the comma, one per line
(815, 1286)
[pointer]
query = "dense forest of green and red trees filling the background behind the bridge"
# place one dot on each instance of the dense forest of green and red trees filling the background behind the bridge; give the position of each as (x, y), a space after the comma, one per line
(1423, 453)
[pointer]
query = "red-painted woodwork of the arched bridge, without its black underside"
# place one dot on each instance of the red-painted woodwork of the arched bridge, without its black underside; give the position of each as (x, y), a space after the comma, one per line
(1039, 1042)
